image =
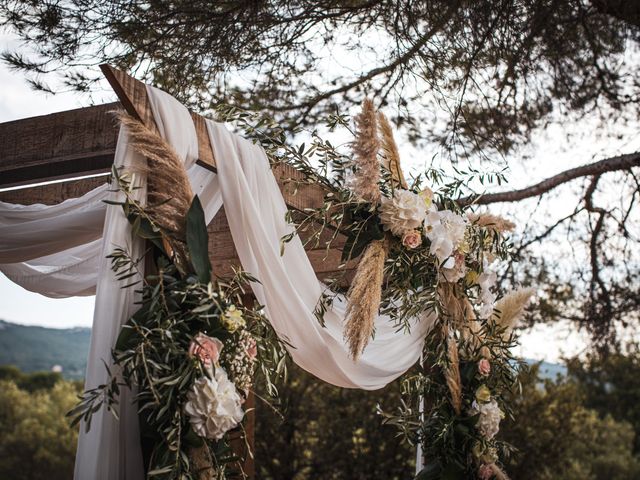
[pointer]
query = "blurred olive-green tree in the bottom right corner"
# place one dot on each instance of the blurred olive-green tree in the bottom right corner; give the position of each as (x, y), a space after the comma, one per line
(559, 437)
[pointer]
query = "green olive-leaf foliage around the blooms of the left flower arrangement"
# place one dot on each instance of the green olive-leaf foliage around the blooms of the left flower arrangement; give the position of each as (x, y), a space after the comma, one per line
(179, 301)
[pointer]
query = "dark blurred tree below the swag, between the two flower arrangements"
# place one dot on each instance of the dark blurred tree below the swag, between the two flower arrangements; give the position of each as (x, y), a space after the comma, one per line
(330, 433)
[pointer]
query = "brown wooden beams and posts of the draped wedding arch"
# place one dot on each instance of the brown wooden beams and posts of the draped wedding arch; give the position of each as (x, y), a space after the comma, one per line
(65, 147)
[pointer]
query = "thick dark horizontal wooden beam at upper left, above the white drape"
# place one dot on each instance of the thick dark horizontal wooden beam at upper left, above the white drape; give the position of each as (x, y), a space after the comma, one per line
(61, 145)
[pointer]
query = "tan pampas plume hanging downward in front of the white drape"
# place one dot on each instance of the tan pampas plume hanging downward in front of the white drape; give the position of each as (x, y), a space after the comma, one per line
(364, 297)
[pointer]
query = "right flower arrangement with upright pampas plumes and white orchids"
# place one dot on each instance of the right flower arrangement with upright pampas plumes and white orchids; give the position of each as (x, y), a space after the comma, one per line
(418, 251)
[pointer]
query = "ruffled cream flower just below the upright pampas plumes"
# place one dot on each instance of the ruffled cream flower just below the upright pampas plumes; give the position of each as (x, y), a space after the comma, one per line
(403, 212)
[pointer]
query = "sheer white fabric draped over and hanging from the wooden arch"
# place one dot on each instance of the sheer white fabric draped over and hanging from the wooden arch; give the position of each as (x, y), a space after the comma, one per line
(60, 251)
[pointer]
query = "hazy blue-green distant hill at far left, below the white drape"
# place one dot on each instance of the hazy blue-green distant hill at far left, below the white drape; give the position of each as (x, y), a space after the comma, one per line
(38, 348)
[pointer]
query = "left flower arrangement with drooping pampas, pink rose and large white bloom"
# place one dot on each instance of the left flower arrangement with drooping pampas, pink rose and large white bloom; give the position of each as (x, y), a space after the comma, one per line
(193, 349)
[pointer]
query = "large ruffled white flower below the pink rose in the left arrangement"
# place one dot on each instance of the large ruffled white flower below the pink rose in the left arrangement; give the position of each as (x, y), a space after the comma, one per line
(213, 405)
